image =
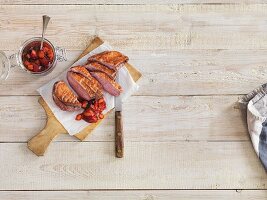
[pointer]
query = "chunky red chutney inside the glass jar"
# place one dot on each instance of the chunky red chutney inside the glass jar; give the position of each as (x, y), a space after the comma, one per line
(37, 60)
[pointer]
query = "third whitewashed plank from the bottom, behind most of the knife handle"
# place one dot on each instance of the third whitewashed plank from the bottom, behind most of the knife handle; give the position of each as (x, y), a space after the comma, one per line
(210, 118)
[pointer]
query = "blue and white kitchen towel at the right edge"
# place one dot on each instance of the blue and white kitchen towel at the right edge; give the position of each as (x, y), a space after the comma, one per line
(255, 104)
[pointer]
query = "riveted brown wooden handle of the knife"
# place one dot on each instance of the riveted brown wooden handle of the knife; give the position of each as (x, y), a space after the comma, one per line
(119, 143)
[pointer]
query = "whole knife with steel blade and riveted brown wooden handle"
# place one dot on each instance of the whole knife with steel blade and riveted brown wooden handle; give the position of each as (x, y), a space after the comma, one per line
(119, 143)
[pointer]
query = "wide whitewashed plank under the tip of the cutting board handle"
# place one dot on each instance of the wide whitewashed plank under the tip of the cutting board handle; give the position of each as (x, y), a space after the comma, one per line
(146, 165)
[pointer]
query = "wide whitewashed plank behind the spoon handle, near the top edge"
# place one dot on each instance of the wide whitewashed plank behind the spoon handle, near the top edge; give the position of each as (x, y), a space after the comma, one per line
(218, 26)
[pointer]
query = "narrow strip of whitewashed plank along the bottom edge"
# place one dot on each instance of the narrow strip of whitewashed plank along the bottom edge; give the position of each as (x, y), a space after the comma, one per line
(137, 195)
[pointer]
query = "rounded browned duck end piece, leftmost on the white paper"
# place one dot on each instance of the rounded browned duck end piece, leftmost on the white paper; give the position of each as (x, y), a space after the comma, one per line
(64, 98)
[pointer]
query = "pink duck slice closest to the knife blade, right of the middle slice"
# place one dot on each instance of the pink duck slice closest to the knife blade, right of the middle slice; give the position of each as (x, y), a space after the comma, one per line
(108, 84)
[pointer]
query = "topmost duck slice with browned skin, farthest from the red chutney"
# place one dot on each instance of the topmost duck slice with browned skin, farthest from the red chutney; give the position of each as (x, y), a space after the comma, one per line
(111, 59)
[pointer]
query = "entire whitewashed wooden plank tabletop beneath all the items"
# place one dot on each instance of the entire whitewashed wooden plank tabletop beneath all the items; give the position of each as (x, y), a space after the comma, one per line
(185, 135)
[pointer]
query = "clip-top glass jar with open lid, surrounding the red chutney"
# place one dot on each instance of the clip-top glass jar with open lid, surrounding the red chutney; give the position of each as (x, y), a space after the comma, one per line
(16, 60)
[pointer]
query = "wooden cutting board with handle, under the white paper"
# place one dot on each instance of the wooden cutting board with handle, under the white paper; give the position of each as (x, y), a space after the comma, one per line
(40, 142)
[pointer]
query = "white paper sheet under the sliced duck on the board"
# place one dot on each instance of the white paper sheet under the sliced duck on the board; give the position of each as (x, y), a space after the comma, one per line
(67, 119)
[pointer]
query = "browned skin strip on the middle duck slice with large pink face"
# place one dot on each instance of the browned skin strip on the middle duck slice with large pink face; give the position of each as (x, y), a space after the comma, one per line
(95, 86)
